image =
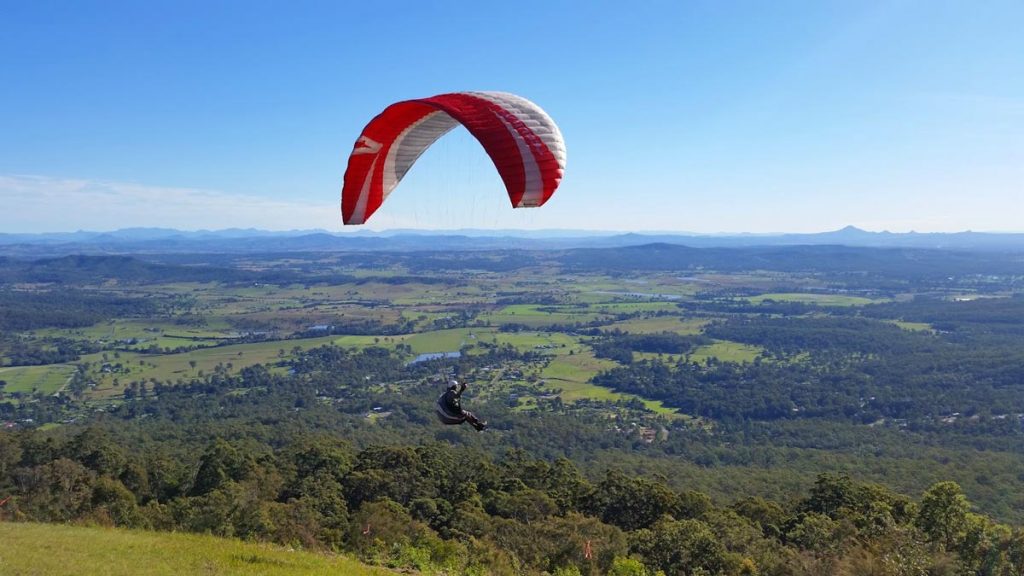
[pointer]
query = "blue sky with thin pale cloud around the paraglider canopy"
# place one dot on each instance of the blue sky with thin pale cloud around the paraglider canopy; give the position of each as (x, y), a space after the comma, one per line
(706, 117)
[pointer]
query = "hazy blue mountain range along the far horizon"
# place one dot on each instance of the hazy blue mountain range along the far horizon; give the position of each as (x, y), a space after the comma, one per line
(139, 240)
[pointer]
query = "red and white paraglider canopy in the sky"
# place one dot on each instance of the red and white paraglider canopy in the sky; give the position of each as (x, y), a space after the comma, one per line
(522, 140)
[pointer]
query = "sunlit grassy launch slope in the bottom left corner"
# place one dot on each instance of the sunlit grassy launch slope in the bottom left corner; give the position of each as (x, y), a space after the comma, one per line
(60, 550)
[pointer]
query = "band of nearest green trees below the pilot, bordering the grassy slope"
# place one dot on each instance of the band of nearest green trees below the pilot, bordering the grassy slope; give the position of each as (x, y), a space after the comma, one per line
(439, 509)
